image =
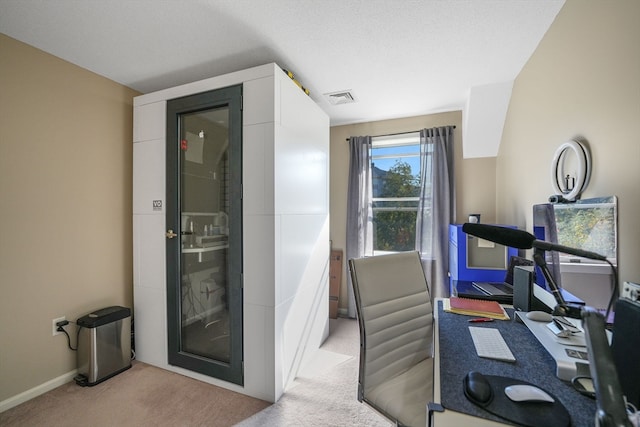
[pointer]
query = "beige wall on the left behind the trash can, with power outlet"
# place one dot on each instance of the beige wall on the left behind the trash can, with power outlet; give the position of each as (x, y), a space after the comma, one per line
(65, 204)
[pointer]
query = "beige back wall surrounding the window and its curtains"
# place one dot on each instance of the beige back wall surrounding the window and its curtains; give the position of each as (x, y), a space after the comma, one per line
(475, 177)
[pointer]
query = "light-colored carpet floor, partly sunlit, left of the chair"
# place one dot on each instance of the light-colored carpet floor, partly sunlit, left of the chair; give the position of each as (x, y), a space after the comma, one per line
(323, 395)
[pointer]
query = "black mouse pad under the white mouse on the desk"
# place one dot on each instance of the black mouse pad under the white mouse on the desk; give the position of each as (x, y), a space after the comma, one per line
(531, 414)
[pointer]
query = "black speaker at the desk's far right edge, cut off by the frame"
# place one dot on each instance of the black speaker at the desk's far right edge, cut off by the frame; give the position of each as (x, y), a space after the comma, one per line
(625, 347)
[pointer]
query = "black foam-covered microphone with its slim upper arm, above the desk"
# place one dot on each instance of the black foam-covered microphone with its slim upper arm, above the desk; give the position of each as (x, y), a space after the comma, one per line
(522, 240)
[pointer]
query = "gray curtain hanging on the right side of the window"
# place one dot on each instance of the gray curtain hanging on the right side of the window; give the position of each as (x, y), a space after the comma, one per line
(437, 206)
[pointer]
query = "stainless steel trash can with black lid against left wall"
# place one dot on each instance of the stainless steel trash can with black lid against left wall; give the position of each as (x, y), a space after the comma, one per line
(104, 344)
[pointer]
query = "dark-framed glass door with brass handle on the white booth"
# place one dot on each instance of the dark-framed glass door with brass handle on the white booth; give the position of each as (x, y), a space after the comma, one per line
(204, 233)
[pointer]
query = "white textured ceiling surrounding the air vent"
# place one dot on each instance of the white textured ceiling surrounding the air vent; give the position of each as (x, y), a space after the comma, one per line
(399, 58)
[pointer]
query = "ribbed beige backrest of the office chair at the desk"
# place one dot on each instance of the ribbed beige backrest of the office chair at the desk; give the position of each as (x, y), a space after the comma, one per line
(395, 315)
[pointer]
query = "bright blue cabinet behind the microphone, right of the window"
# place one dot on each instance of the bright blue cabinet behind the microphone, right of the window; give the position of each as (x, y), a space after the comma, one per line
(474, 259)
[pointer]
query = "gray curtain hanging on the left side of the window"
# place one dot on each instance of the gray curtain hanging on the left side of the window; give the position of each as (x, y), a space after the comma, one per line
(359, 208)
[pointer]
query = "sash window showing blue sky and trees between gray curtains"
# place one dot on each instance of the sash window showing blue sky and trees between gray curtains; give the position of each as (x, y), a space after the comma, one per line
(395, 169)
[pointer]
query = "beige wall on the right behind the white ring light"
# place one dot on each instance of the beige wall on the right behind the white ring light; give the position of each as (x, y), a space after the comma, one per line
(583, 79)
